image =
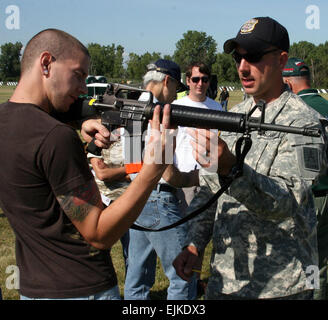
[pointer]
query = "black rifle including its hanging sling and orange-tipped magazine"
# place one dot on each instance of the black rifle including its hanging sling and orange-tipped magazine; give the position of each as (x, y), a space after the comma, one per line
(120, 107)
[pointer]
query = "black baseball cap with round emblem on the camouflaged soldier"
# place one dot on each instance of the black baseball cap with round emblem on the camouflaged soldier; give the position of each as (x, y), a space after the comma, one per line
(259, 34)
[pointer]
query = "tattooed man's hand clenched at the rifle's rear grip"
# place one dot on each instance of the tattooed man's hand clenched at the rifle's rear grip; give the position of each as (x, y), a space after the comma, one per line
(94, 129)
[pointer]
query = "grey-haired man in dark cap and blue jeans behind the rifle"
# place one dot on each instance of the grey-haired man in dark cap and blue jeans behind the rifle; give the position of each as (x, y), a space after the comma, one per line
(163, 80)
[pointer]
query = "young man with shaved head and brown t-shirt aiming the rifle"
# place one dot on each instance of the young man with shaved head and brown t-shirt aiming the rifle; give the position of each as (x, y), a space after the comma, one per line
(50, 197)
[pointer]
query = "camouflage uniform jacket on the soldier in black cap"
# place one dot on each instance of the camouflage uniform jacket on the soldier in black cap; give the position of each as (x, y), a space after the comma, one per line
(264, 227)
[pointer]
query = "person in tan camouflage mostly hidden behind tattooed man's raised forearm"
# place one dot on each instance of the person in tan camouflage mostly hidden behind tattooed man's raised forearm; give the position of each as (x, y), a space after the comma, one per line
(112, 180)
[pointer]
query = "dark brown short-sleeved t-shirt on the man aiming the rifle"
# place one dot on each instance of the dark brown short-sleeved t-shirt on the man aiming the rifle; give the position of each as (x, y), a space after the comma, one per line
(40, 158)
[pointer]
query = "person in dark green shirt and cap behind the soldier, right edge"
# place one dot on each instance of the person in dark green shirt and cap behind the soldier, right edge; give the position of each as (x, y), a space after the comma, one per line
(296, 75)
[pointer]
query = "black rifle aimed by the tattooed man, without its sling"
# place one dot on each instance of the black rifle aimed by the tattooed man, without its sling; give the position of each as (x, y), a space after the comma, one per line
(120, 107)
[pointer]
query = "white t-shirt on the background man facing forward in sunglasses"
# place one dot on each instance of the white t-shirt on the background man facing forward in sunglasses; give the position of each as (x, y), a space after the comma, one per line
(184, 159)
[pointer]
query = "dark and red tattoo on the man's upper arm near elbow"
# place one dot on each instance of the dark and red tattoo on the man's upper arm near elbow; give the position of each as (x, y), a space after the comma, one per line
(78, 202)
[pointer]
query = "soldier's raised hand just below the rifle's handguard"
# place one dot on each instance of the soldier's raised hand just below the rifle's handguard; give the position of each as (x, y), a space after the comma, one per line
(211, 151)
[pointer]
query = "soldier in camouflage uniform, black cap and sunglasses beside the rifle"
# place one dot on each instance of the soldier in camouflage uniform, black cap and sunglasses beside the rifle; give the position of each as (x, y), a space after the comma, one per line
(264, 228)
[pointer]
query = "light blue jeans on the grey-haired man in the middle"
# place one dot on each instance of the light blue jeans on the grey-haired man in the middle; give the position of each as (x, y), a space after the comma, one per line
(160, 210)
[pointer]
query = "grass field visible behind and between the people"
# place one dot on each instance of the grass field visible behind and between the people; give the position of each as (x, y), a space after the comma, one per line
(7, 239)
